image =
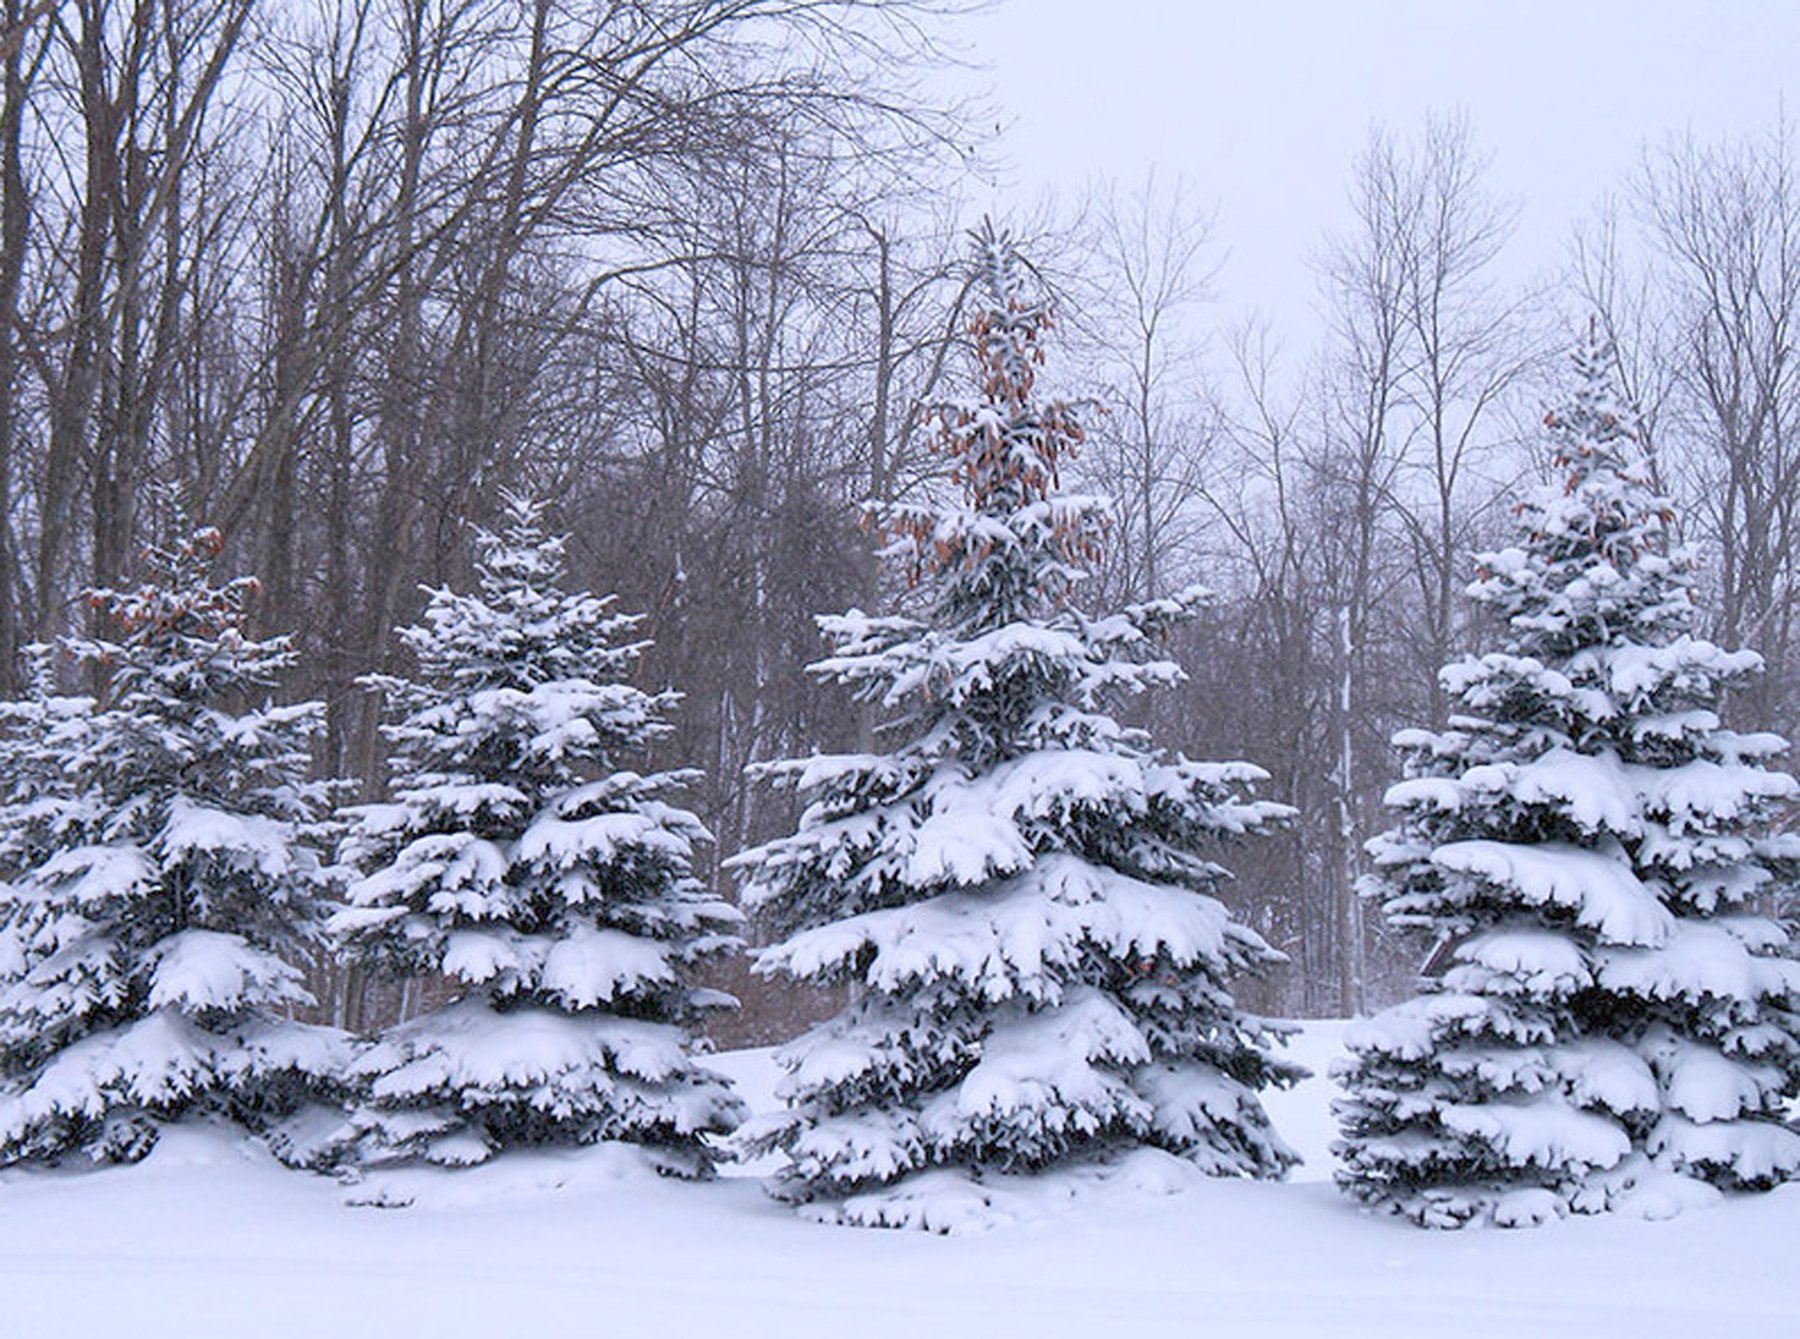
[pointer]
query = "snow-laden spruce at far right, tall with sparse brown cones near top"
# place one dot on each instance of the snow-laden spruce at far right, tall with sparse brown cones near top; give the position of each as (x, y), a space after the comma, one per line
(1614, 1023)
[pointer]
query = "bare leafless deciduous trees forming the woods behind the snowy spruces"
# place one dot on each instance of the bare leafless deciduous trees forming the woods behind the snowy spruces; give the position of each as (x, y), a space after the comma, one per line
(334, 276)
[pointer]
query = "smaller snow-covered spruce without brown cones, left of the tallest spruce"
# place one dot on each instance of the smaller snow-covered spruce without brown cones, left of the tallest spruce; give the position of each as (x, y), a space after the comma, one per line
(553, 888)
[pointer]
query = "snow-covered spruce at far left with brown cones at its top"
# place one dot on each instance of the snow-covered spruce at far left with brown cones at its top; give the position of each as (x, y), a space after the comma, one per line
(168, 881)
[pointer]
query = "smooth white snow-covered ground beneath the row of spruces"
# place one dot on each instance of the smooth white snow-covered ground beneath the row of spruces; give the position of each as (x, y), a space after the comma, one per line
(210, 1239)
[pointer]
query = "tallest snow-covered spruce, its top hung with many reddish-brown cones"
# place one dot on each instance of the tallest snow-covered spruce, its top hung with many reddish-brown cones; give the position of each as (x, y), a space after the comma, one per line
(1016, 892)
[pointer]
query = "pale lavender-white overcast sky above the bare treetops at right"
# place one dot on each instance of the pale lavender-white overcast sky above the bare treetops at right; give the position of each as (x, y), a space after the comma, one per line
(1263, 105)
